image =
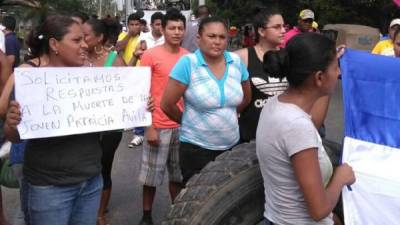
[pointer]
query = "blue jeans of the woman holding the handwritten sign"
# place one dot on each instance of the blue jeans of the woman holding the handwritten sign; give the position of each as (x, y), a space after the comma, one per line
(62, 205)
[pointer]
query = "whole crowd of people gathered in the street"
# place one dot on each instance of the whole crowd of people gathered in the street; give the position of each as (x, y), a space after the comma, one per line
(204, 101)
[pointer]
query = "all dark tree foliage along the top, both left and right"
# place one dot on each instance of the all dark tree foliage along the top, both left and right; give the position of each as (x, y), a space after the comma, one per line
(376, 13)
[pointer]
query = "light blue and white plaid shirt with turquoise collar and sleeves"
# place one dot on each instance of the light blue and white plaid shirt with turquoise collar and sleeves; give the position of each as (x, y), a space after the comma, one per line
(210, 119)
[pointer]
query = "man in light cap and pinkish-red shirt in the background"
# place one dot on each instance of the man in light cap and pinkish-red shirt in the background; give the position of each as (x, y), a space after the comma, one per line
(304, 24)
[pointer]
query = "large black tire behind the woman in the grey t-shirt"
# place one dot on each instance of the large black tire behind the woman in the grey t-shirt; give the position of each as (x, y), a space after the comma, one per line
(228, 191)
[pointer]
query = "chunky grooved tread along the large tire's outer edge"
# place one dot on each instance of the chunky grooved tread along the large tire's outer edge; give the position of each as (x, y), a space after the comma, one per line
(201, 187)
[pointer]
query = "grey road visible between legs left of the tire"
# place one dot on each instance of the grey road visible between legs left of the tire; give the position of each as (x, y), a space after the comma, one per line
(125, 204)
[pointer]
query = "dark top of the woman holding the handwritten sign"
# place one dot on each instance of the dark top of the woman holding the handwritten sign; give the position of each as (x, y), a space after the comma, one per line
(62, 160)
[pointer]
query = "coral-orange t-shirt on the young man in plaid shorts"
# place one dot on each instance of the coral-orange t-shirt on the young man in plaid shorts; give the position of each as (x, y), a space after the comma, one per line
(161, 63)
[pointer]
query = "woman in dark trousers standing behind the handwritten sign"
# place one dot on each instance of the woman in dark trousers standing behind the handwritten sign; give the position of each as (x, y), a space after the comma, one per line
(101, 36)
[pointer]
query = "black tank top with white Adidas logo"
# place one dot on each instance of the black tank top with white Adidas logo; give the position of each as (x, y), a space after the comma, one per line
(262, 88)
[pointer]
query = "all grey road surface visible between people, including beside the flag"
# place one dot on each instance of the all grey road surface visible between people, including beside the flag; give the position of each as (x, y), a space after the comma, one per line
(125, 206)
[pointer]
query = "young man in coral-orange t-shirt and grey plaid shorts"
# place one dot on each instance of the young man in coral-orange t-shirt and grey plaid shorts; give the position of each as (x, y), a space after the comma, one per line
(161, 141)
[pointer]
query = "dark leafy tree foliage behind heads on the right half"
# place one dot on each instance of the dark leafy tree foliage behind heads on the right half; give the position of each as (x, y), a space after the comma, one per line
(376, 13)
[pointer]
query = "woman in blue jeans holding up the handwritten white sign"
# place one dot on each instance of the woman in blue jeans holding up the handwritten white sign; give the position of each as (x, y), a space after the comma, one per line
(62, 175)
